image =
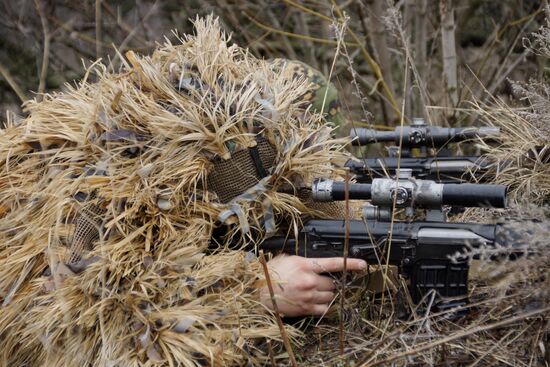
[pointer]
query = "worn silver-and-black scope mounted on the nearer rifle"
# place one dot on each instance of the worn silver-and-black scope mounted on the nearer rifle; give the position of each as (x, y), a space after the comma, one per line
(420, 193)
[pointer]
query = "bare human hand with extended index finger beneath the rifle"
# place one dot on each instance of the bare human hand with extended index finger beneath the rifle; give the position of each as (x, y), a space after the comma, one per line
(299, 287)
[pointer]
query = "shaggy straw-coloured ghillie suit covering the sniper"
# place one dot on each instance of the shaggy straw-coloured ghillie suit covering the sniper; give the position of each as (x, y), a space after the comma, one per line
(107, 208)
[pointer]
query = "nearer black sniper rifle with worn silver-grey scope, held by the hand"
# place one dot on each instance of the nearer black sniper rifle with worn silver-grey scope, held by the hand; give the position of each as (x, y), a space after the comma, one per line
(430, 253)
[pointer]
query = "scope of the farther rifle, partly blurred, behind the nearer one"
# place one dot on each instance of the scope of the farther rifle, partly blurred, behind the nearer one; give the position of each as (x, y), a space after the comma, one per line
(421, 135)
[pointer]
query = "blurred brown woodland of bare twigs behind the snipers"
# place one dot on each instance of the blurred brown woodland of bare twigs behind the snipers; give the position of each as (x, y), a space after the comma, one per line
(458, 50)
